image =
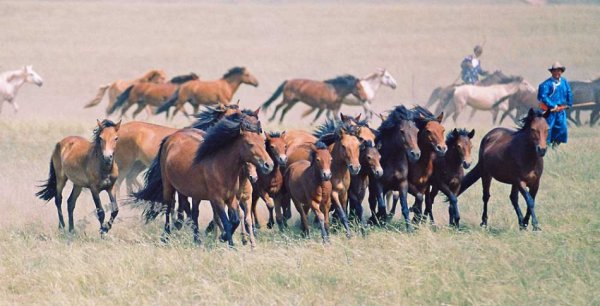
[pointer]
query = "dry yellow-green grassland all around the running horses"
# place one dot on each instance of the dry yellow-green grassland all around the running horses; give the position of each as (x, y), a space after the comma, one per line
(77, 46)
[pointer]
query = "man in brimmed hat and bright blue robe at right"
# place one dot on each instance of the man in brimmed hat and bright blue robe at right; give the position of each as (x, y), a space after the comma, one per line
(555, 95)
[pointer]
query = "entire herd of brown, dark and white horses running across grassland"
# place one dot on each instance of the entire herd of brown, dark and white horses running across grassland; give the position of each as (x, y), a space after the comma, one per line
(226, 158)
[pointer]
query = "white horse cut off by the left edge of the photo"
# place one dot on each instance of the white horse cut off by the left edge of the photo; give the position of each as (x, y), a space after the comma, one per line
(11, 82)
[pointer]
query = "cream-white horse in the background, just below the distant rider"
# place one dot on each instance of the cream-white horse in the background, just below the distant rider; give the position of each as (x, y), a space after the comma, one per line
(483, 98)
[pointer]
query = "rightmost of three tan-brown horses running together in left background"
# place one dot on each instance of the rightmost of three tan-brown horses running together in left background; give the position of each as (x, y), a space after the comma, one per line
(219, 91)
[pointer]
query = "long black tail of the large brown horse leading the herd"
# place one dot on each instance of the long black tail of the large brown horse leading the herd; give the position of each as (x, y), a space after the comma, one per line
(153, 188)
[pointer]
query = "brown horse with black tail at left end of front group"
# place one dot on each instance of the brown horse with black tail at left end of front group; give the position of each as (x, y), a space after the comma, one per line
(87, 165)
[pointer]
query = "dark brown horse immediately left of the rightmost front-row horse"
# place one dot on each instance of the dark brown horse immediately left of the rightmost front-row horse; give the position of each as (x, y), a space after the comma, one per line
(448, 173)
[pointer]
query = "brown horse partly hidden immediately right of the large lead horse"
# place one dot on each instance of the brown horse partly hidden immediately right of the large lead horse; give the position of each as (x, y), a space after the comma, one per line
(269, 186)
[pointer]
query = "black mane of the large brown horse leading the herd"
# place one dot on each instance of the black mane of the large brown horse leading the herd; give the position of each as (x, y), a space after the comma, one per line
(224, 133)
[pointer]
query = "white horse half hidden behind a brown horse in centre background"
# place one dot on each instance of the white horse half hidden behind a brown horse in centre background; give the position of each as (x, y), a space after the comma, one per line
(371, 84)
